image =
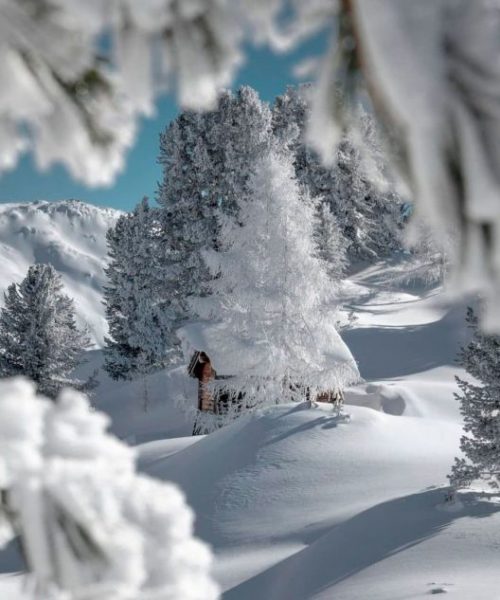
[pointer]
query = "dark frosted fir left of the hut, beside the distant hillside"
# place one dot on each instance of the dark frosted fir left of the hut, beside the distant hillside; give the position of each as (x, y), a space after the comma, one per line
(138, 310)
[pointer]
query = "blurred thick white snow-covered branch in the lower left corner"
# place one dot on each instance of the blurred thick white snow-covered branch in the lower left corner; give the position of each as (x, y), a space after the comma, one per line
(90, 526)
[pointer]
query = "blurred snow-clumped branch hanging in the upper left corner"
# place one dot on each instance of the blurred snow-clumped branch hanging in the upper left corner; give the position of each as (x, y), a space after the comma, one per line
(69, 101)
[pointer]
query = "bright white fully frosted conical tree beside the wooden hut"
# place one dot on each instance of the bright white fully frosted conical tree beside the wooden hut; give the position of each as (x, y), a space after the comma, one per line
(272, 296)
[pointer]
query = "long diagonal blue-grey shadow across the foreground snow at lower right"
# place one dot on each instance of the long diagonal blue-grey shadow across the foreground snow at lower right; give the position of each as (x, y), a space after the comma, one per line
(358, 543)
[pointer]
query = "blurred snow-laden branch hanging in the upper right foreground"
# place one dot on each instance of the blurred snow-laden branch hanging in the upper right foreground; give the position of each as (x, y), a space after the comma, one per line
(432, 71)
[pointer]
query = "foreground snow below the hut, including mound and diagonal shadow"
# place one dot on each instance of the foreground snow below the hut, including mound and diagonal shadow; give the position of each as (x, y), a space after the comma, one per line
(299, 503)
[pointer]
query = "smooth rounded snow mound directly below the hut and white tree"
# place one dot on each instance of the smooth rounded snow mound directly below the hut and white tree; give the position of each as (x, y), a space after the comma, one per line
(281, 457)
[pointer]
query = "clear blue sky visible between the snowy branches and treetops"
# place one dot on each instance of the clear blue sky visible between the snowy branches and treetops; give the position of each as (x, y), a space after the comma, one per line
(269, 74)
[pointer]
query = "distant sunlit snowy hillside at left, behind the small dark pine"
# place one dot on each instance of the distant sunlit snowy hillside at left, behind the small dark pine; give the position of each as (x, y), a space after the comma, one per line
(70, 235)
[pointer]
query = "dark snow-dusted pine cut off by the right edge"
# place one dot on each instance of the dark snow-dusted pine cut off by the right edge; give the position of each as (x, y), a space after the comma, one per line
(480, 407)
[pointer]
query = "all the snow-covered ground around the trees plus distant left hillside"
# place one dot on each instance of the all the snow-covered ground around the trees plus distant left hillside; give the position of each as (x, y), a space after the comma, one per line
(297, 502)
